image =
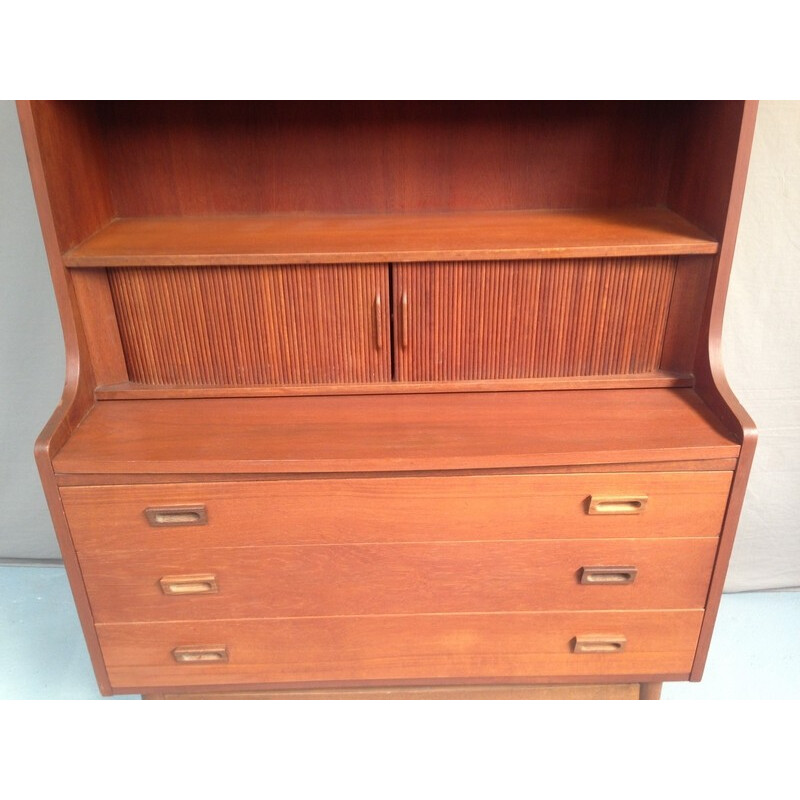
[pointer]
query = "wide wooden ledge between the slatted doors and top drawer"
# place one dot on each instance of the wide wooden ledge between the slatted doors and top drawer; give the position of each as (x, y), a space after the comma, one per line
(394, 433)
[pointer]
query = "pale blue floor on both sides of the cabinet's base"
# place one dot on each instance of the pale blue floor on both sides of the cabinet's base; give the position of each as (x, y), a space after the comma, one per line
(755, 653)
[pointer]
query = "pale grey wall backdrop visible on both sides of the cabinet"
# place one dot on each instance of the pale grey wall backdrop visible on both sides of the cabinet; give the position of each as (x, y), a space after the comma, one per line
(761, 347)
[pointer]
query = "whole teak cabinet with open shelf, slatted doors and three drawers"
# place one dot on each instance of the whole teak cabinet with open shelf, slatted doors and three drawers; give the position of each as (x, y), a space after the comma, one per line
(401, 399)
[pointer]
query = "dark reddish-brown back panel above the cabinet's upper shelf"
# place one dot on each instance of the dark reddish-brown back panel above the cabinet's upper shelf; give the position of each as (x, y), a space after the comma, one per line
(203, 158)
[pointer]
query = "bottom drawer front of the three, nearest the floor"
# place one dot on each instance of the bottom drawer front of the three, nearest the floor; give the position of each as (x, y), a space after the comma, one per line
(401, 648)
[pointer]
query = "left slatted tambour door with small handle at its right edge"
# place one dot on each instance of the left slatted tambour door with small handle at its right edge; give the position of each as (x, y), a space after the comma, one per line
(276, 325)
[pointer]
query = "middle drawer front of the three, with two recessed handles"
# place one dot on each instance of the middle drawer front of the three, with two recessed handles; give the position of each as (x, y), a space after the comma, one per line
(458, 577)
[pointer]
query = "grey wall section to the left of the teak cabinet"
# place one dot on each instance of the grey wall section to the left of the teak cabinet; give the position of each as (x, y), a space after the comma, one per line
(31, 353)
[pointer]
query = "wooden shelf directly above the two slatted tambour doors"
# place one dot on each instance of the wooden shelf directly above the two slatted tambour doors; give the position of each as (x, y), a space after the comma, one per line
(359, 238)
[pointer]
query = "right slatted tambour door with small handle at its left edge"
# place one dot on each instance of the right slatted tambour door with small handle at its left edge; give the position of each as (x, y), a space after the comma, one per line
(531, 319)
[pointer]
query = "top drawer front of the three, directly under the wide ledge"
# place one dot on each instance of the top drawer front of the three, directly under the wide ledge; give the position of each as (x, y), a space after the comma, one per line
(440, 508)
